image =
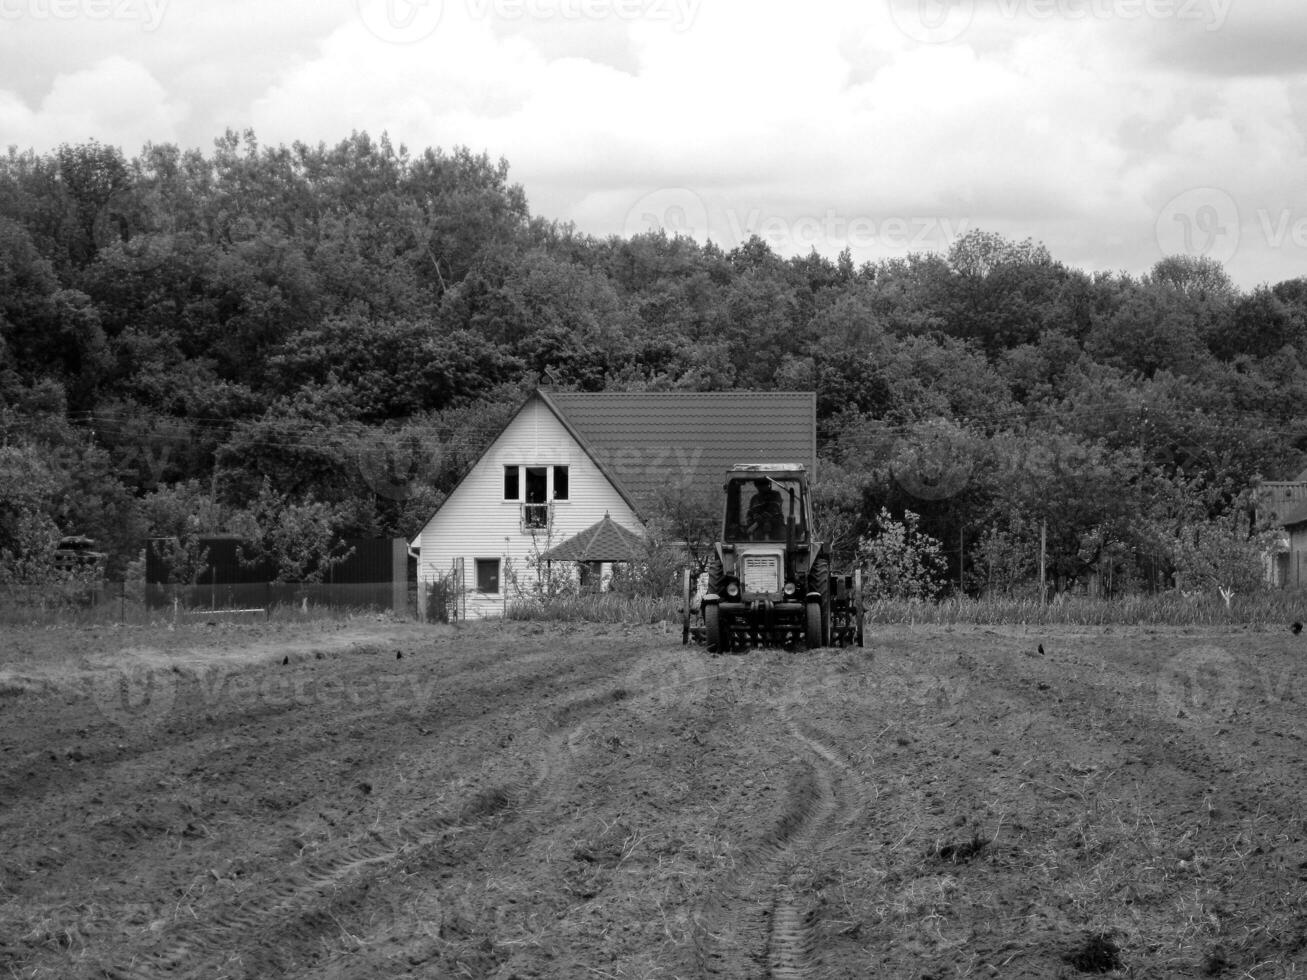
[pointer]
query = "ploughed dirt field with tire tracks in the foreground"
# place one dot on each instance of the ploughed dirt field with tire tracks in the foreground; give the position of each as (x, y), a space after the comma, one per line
(377, 799)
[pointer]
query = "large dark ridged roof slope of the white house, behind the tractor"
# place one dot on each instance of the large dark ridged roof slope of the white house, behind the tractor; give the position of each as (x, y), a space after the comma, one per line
(646, 442)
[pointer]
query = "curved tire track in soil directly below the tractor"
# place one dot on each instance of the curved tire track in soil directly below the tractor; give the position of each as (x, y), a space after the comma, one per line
(756, 921)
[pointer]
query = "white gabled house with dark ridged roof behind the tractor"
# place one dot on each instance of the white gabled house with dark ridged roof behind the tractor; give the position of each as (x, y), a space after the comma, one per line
(568, 459)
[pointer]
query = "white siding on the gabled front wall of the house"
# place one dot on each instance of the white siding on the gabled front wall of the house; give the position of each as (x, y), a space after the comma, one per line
(476, 522)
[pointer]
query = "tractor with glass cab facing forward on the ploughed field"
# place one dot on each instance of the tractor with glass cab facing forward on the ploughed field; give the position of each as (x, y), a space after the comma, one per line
(769, 582)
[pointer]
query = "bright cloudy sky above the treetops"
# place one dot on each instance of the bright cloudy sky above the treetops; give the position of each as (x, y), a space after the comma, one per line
(1116, 133)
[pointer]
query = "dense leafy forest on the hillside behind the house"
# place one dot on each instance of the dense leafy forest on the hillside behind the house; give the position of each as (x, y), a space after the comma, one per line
(316, 342)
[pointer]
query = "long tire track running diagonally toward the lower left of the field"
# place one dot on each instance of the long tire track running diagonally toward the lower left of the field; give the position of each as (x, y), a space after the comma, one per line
(301, 907)
